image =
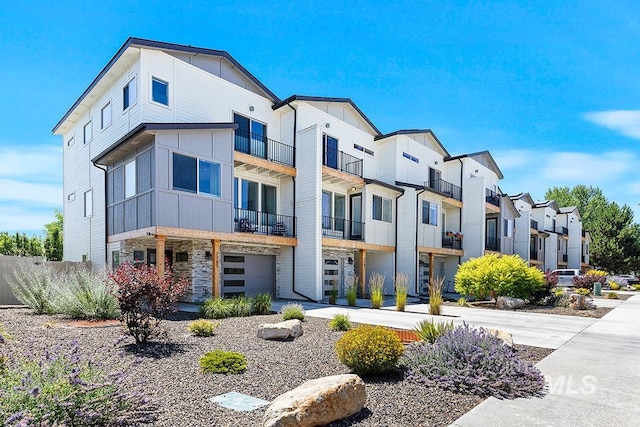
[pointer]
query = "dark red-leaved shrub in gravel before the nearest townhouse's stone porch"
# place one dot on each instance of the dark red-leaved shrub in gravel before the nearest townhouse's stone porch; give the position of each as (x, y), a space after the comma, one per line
(144, 297)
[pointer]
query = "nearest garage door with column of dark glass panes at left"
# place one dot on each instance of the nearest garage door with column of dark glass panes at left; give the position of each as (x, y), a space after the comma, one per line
(248, 274)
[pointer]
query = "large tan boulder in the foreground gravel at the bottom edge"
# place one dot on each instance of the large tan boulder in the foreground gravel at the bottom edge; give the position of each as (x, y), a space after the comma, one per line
(317, 402)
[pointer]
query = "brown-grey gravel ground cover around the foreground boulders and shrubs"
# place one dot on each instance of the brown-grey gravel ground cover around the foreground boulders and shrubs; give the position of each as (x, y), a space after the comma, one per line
(169, 367)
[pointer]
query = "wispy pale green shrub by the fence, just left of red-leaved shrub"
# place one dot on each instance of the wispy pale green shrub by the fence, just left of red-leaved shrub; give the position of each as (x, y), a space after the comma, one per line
(83, 294)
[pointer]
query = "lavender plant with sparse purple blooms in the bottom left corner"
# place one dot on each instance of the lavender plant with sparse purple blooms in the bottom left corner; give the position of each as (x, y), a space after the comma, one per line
(65, 387)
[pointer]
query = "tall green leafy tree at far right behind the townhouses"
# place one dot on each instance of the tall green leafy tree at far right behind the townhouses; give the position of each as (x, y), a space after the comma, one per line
(615, 237)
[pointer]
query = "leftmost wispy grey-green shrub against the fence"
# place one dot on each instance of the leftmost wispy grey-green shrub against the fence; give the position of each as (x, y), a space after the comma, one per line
(32, 286)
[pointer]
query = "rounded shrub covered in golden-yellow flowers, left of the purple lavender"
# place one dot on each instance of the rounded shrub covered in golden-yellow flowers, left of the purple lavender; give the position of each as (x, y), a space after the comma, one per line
(369, 350)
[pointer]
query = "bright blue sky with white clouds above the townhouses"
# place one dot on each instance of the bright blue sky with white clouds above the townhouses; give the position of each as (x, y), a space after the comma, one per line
(551, 90)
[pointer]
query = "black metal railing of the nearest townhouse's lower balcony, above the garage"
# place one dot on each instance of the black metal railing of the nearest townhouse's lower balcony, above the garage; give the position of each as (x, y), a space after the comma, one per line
(249, 221)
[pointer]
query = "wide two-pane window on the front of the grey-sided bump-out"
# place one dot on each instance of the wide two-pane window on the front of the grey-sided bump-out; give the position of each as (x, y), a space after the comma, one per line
(196, 176)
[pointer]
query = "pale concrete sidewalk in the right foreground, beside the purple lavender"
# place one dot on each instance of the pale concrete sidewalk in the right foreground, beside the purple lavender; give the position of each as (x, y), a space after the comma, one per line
(594, 380)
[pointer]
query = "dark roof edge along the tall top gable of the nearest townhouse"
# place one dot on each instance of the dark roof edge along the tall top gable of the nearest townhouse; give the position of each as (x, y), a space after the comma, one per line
(152, 44)
